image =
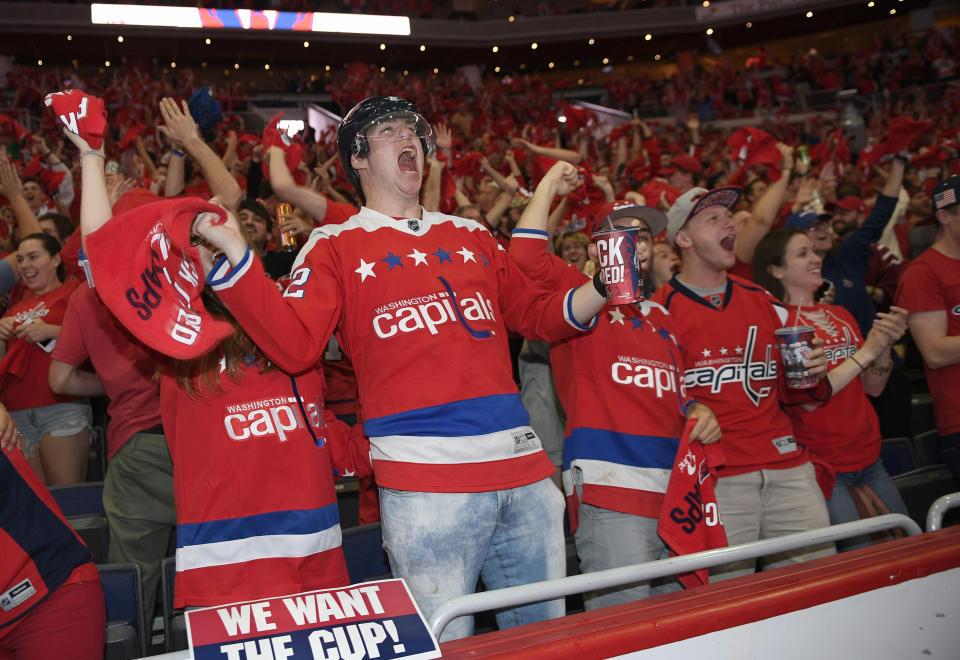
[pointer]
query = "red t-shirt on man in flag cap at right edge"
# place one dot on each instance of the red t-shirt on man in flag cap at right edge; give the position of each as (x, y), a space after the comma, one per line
(932, 283)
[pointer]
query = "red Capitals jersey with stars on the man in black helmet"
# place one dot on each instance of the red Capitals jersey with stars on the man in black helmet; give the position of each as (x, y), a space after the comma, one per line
(422, 308)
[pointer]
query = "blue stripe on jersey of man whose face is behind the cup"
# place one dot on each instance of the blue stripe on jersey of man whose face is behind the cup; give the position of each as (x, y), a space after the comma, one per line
(646, 451)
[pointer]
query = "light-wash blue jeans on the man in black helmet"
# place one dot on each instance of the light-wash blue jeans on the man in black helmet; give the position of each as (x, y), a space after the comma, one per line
(441, 543)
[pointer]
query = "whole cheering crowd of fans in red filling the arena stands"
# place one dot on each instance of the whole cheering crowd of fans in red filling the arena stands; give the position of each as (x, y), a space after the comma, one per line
(415, 300)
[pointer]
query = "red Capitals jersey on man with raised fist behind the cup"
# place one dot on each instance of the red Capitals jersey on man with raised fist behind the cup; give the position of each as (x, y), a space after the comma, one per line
(622, 390)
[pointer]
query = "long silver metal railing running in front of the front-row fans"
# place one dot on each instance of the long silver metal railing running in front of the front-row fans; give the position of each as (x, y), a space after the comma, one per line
(614, 577)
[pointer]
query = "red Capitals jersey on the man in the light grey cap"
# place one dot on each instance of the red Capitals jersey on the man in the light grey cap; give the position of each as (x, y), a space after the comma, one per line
(731, 362)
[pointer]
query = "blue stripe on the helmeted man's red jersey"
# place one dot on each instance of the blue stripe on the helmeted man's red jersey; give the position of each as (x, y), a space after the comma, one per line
(480, 416)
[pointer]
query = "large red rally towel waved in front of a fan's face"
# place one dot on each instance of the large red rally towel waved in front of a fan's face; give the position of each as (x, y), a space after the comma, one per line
(150, 276)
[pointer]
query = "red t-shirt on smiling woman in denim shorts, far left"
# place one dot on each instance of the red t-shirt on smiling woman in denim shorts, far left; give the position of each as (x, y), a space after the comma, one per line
(25, 369)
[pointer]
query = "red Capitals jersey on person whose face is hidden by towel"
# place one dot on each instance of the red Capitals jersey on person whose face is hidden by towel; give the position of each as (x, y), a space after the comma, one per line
(256, 508)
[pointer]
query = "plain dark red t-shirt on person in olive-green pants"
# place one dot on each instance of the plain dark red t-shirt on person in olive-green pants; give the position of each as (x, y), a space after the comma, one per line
(126, 370)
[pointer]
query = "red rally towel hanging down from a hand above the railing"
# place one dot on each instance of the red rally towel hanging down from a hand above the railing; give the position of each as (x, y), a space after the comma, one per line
(690, 520)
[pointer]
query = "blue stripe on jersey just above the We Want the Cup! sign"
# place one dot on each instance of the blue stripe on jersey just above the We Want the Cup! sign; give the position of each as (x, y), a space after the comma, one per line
(303, 521)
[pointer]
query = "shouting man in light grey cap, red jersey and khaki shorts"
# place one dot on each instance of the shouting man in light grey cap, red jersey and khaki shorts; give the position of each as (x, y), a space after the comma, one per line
(726, 327)
